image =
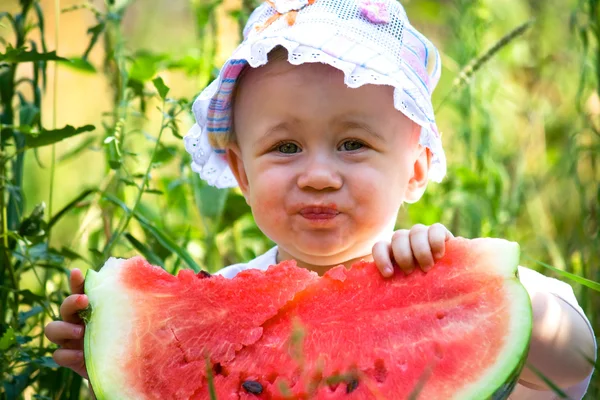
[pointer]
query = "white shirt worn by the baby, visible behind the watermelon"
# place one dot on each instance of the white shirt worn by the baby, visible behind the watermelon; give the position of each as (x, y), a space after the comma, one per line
(529, 278)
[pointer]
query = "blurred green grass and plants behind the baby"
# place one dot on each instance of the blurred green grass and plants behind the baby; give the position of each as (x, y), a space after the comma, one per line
(520, 124)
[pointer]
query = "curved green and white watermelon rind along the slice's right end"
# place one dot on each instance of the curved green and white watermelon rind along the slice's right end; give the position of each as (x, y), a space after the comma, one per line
(502, 378)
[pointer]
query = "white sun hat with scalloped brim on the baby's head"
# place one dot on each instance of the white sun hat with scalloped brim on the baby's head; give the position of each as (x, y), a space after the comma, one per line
(370, 41)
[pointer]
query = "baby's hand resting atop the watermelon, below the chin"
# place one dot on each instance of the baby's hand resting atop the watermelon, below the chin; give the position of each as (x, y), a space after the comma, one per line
(419, 247)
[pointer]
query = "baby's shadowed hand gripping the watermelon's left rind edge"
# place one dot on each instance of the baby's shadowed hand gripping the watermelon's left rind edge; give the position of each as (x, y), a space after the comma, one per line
(68, 333)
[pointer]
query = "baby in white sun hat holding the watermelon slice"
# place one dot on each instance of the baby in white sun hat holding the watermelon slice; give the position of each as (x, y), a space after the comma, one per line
(323, 118)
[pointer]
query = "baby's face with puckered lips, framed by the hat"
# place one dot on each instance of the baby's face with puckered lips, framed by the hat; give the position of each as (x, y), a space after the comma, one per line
(324, 167)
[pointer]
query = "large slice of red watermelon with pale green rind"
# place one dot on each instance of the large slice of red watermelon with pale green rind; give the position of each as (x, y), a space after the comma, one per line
(460, 331)
